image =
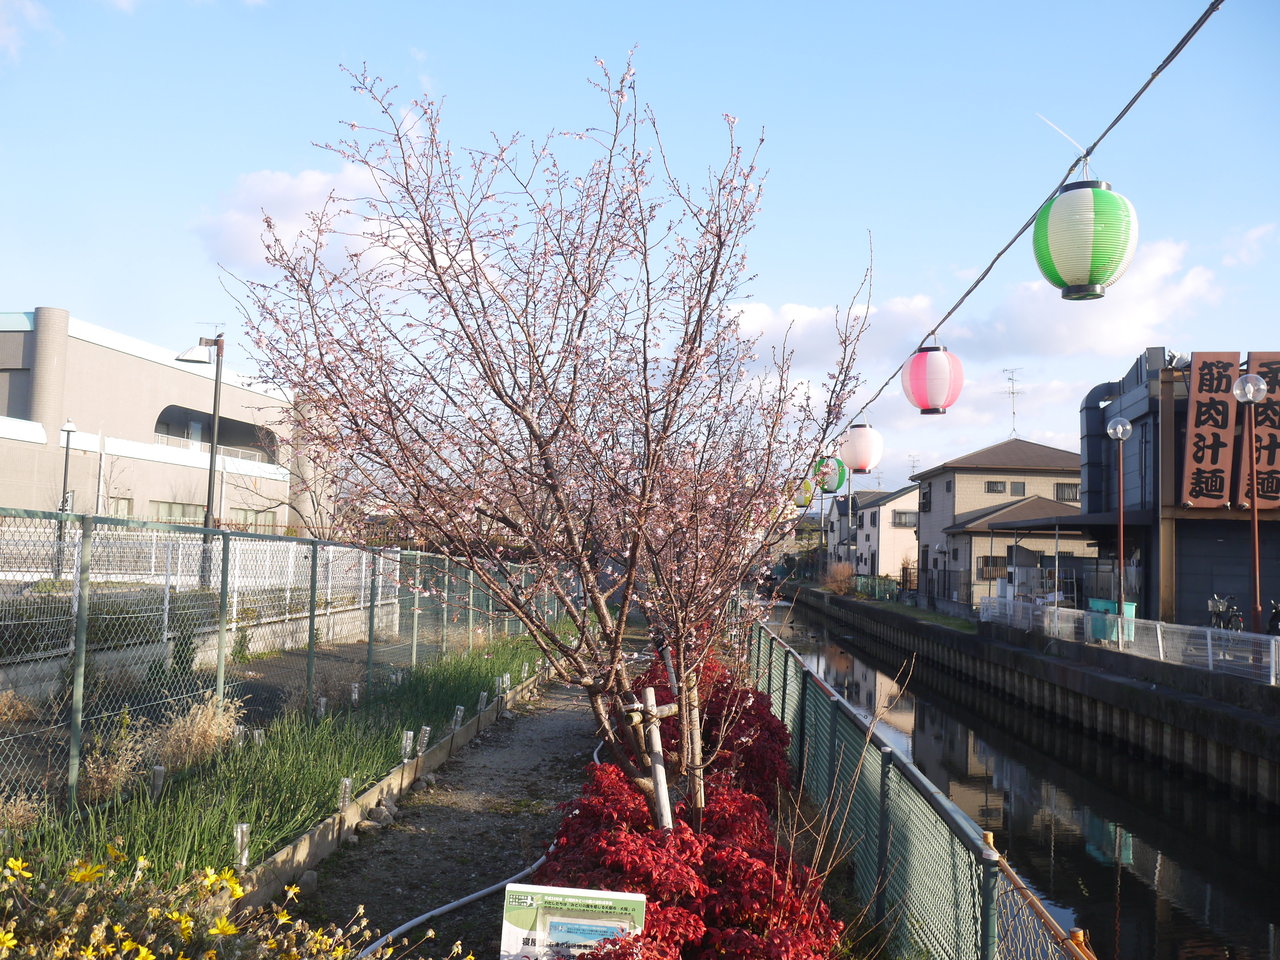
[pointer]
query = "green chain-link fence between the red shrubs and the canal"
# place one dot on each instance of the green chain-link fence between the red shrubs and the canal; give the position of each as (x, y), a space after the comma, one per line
(924, 870)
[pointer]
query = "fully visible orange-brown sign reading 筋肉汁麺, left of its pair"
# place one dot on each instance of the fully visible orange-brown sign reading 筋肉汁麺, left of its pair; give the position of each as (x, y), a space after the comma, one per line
(1210, 431)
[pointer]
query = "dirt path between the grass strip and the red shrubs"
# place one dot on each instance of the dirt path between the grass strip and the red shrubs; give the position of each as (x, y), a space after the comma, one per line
(492, 811)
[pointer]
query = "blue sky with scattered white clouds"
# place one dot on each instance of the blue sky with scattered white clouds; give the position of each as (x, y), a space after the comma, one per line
(141, 139)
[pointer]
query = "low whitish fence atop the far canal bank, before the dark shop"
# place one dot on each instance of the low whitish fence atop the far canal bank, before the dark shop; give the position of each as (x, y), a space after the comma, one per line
(1244, 655)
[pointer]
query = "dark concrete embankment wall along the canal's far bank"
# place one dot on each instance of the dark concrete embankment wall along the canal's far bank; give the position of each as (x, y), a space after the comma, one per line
(1205, 725)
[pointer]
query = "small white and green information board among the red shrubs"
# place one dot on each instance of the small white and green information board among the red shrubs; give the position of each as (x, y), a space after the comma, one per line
(540, 924)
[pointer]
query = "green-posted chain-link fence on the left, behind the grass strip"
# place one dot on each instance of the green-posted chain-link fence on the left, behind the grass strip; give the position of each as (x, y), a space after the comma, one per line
(107, 623)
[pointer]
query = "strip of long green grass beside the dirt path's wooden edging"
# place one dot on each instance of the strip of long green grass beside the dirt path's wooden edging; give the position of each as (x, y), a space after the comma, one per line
(281, 788)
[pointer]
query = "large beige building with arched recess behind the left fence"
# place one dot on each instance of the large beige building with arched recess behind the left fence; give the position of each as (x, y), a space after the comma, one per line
(143, 422)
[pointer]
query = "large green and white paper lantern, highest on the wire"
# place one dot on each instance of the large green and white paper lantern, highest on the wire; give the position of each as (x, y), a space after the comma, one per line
(1085, 239)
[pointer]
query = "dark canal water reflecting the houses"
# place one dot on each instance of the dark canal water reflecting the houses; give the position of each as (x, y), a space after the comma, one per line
(1151, 865)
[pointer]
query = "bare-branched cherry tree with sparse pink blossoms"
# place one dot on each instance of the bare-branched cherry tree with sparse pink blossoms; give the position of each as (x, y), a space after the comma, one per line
(529, 355)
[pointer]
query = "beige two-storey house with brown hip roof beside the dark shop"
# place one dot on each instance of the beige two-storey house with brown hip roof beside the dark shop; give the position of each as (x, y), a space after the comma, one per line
(970, 511)
